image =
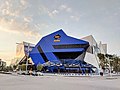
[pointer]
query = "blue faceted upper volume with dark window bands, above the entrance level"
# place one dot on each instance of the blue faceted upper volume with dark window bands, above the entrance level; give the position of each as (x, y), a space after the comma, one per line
(57, 46)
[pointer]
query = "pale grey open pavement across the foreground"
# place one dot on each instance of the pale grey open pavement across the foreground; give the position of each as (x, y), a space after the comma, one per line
(21, 82)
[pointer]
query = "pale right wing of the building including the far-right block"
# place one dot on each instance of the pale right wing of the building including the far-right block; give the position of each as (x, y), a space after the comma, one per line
(92, 51)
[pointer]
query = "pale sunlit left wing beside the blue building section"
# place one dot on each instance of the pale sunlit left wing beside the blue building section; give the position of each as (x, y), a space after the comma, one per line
(22, 52)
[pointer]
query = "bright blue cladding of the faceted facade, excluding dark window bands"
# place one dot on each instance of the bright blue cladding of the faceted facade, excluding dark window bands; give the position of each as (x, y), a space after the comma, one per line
(47, 42)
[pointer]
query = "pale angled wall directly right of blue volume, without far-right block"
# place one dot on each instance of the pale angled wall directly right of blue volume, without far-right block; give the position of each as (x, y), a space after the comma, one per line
(92, 51)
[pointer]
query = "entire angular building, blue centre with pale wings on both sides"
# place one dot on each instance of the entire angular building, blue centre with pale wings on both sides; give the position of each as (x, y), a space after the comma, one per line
(60, 51)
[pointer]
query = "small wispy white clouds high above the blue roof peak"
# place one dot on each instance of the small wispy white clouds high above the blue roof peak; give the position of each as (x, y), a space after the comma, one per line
(61, 9)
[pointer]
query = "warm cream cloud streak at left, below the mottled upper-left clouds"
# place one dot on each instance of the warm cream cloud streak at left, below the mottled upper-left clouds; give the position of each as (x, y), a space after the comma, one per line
(14, 26)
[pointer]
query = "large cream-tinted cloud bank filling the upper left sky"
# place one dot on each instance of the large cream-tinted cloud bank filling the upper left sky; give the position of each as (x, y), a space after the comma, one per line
(13, 20)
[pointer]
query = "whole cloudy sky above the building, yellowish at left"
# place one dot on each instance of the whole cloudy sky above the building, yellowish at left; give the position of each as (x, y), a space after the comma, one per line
(30, 20)
